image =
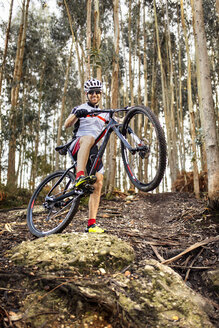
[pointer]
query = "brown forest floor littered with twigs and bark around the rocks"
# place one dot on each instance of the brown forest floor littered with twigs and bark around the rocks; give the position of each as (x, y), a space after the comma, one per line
(158, 226)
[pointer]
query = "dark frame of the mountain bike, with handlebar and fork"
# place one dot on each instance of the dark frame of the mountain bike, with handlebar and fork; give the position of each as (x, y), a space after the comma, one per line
(113, 125)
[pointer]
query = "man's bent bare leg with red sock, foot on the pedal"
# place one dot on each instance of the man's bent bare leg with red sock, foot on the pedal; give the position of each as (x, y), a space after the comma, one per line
(86, 143)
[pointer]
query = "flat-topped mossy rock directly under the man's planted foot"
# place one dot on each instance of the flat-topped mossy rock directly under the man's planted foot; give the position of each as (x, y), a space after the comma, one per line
(72, 250)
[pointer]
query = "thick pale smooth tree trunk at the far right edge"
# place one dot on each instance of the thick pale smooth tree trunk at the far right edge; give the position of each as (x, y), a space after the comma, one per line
(206, 105)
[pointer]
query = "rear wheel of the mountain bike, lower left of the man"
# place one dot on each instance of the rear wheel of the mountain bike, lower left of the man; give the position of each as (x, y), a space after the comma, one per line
(44, 219)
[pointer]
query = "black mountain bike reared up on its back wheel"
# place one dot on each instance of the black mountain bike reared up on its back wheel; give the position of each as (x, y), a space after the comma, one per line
(55, 201)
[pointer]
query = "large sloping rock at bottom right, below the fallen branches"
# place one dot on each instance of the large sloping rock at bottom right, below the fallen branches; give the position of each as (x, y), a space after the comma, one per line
(160, 297)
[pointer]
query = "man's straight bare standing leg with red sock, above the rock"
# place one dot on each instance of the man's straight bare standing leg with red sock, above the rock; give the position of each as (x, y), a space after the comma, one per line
(95, 199)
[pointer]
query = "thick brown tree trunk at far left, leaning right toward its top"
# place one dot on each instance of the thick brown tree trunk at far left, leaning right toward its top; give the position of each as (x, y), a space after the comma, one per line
(11, 175)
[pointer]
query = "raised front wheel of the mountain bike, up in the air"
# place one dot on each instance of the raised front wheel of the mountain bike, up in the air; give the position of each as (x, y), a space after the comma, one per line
(147, 128)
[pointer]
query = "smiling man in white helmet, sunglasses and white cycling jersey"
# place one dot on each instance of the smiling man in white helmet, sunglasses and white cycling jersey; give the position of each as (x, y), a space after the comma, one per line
(87, 128)
